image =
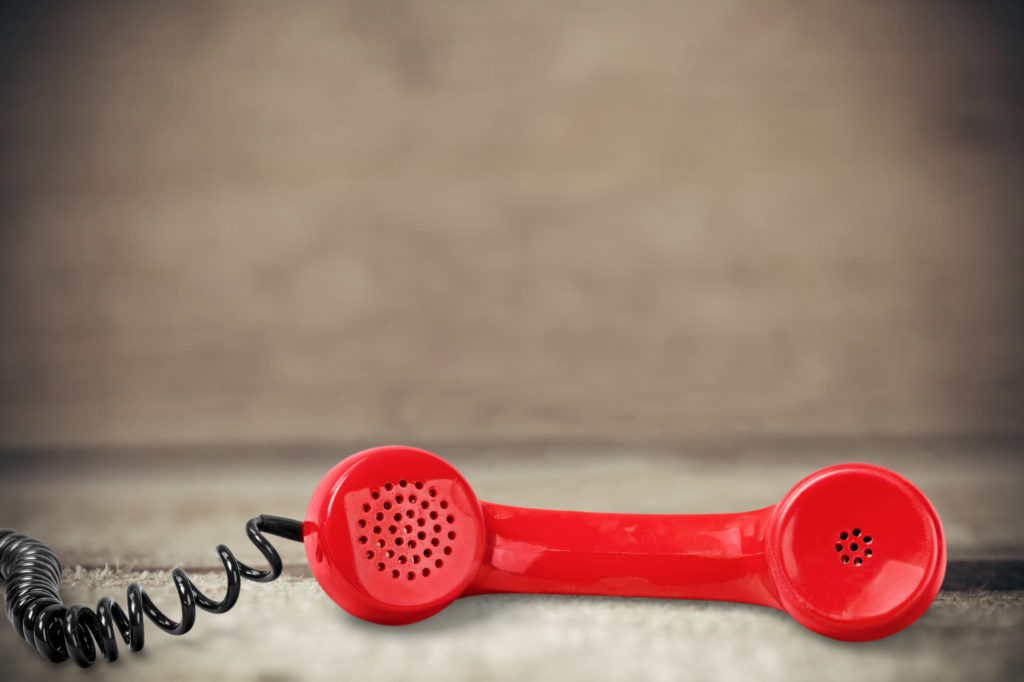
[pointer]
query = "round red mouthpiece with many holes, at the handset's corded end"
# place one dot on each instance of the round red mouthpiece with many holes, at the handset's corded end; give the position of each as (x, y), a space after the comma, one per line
(394, 535)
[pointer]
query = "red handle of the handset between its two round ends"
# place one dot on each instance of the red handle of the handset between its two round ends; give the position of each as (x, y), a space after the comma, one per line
(691, 557)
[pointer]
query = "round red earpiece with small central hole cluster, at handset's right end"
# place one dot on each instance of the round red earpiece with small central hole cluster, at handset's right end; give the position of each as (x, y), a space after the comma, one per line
(857, 552)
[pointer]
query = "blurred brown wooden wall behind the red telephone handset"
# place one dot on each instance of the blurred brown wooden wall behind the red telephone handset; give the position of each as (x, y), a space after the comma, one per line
(241, 223)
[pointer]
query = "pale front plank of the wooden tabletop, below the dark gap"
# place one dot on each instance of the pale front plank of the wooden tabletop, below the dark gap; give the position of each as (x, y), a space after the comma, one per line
(288, 631)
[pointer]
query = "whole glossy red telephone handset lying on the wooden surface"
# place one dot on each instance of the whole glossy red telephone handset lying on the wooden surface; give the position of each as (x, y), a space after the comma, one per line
(854, 552)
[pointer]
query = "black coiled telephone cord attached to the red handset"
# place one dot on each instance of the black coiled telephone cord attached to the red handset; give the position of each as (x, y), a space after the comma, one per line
(32, 573)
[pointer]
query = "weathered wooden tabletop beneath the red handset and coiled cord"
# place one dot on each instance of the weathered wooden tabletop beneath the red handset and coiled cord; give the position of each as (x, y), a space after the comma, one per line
(115, 518)
